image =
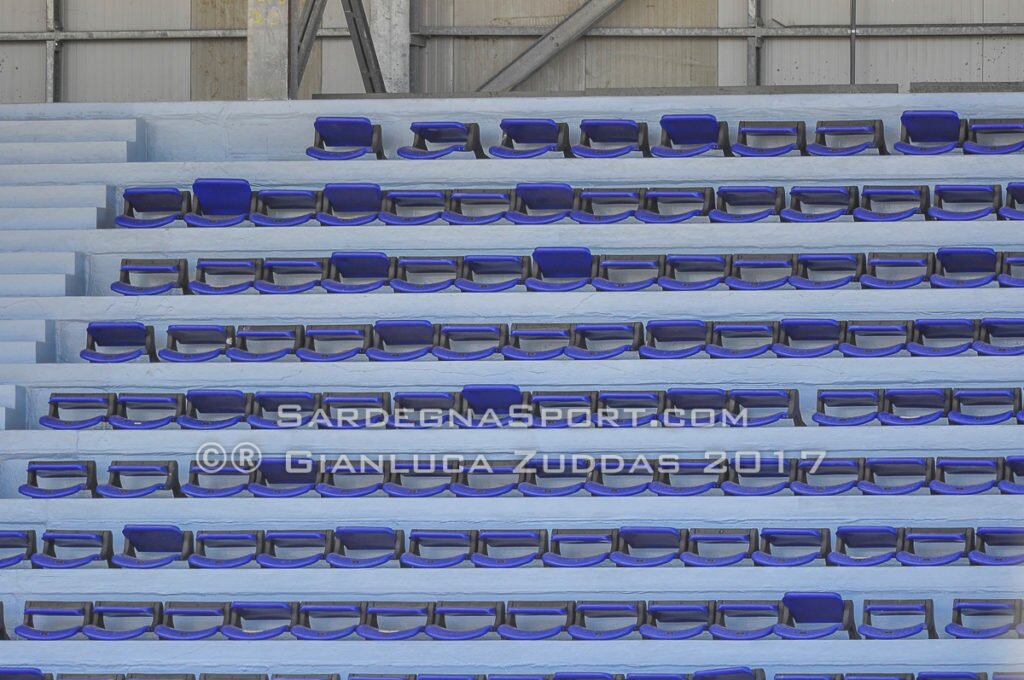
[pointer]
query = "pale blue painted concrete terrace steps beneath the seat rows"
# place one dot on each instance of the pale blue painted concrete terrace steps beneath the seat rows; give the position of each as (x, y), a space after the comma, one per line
(63, 171)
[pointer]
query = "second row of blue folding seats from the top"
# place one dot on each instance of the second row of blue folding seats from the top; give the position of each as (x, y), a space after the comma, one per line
(228, 202)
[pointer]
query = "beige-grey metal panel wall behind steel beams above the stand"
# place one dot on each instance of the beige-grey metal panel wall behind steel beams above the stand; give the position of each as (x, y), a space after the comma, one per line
(175, 70)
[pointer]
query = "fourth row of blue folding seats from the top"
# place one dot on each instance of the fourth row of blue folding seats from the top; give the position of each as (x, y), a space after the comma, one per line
(399, 341)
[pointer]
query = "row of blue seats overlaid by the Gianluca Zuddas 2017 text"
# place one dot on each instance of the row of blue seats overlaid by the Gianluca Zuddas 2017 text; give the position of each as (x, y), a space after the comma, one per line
(540, 478)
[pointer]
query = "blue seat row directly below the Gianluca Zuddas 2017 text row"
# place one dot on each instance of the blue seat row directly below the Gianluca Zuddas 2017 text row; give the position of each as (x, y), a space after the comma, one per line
(155, 546)
